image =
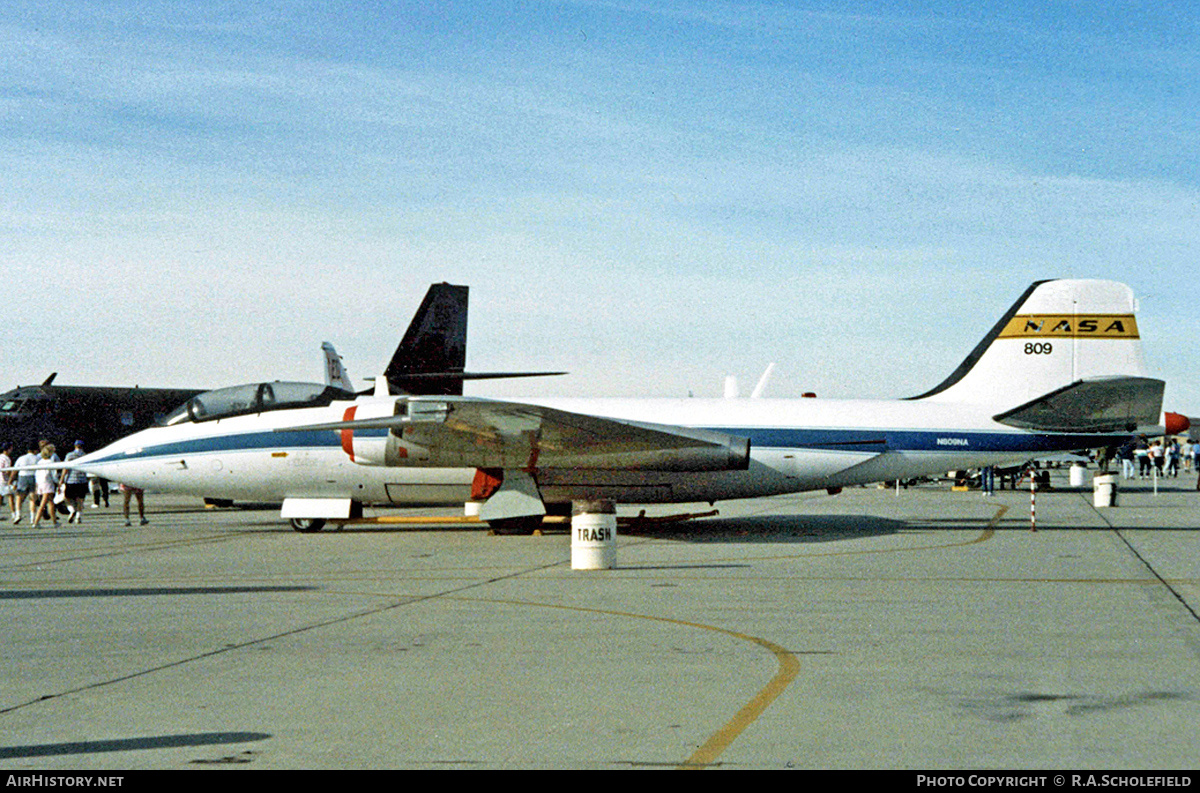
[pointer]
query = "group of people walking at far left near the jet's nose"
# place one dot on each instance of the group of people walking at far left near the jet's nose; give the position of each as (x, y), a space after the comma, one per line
(46, 489)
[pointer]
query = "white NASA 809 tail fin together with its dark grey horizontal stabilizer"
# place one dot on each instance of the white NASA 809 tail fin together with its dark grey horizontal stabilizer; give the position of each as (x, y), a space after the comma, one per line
(1066, 353)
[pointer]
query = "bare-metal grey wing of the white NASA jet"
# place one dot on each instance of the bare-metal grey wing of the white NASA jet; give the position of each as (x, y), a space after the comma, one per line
(487, 434)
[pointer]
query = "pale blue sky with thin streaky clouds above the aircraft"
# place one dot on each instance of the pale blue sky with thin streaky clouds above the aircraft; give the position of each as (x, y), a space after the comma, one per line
(650, 195)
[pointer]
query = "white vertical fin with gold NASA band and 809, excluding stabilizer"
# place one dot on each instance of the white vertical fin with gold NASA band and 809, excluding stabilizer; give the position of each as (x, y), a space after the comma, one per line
(1058, 334)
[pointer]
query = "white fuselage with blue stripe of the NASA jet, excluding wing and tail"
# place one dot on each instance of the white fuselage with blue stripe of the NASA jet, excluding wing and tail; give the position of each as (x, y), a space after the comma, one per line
(796, 446)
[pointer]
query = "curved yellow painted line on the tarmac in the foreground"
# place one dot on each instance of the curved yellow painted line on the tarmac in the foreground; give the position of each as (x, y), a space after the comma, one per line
(721, 741)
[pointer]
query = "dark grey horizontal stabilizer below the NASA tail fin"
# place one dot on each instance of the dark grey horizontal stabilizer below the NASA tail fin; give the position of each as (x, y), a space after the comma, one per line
(1102, 405)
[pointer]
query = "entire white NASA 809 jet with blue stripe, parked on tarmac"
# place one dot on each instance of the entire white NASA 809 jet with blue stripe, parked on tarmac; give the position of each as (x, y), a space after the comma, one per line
(1063, 370)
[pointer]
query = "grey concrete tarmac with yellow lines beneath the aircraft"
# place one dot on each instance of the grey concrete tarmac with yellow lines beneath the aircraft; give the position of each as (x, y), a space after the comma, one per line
(926, 629)
